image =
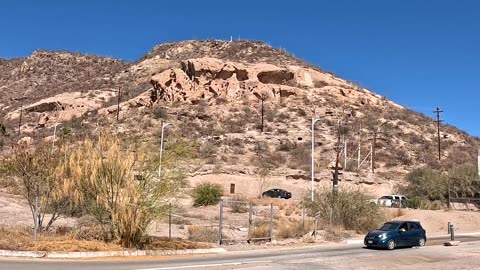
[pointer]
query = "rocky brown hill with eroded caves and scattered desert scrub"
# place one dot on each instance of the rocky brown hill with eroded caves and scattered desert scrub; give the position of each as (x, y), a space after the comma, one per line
(212, 92)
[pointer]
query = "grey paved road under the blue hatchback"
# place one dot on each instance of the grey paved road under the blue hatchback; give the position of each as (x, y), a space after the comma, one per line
(317, 257)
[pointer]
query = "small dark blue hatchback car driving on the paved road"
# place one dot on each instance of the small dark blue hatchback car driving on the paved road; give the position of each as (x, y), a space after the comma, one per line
(397, 234)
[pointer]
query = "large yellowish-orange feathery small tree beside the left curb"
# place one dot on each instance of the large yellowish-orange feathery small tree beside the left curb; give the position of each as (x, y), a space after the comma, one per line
(119, 184)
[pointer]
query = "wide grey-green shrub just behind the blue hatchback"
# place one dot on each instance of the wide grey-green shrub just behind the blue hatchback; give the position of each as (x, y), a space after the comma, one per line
(349, 207)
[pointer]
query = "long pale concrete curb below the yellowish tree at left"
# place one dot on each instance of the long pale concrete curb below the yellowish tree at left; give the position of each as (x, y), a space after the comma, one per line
(97, 254)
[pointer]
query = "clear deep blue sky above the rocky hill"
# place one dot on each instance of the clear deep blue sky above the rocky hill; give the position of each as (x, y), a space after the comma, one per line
(418, 53)
